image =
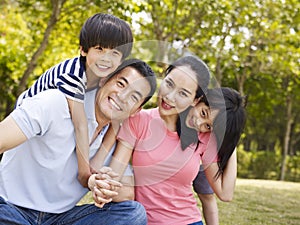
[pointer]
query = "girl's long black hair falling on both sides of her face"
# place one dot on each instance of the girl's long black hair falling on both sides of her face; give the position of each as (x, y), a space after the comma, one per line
(227, 126)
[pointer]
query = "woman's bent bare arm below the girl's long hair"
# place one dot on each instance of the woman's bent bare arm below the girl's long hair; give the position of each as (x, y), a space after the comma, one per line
(224, 185)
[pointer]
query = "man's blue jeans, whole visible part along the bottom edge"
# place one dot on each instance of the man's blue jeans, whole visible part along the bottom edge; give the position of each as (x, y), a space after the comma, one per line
(126, 213)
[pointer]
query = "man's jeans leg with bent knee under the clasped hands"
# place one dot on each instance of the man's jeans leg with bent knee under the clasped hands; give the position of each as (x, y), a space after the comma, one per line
(125, 213)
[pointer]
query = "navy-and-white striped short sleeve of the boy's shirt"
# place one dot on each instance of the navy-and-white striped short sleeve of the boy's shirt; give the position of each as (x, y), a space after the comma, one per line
(72, 86)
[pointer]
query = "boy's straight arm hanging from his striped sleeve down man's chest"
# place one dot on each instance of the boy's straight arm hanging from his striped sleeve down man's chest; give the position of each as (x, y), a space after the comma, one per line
(82, 140)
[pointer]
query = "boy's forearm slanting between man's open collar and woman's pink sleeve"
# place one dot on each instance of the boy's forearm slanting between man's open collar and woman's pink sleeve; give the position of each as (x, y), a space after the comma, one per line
(109, 140)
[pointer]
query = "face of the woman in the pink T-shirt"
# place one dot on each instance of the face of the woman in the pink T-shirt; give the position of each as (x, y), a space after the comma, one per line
(177, 91)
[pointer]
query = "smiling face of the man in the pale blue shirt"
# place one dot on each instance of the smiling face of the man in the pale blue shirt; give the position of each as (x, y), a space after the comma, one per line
(122, 95)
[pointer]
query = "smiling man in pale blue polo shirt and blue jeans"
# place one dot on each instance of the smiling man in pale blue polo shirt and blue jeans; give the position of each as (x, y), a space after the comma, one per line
(38, 172)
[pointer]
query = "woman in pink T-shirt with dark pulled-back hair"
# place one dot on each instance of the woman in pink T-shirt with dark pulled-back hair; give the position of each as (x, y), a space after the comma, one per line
(163, 171)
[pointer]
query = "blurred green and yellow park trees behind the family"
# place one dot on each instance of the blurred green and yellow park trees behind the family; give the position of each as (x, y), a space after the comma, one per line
(252, 46)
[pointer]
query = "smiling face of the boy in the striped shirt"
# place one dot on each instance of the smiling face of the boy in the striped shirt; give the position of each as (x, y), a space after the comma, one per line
(100, 62)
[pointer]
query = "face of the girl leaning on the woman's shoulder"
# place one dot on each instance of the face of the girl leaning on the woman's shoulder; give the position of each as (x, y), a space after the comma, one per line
(201, 118)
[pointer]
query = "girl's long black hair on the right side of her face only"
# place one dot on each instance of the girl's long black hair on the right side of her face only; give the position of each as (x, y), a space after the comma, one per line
(229, 122)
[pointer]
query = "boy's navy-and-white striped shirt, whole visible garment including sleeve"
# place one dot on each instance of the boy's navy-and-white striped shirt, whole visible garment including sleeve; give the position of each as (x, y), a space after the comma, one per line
(68, 76)
